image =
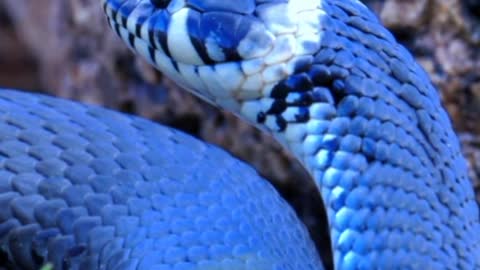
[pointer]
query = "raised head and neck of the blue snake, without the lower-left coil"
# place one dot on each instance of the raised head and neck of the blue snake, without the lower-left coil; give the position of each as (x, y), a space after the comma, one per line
(331, 84)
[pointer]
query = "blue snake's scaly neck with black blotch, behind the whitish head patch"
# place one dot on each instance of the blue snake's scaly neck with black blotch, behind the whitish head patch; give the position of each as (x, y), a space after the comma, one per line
(365, 121)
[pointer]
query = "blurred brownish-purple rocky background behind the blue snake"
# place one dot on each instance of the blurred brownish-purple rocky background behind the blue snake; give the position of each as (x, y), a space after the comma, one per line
(65, 48)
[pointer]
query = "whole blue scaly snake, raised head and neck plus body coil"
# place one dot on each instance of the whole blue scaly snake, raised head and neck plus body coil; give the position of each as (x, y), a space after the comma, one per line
(87, 188)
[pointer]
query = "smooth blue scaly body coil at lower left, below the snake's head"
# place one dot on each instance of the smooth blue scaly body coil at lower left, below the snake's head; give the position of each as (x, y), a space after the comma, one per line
(87, 188)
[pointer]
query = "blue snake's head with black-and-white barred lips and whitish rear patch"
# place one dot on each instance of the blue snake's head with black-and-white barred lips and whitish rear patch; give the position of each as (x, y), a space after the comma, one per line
(225, 52)
